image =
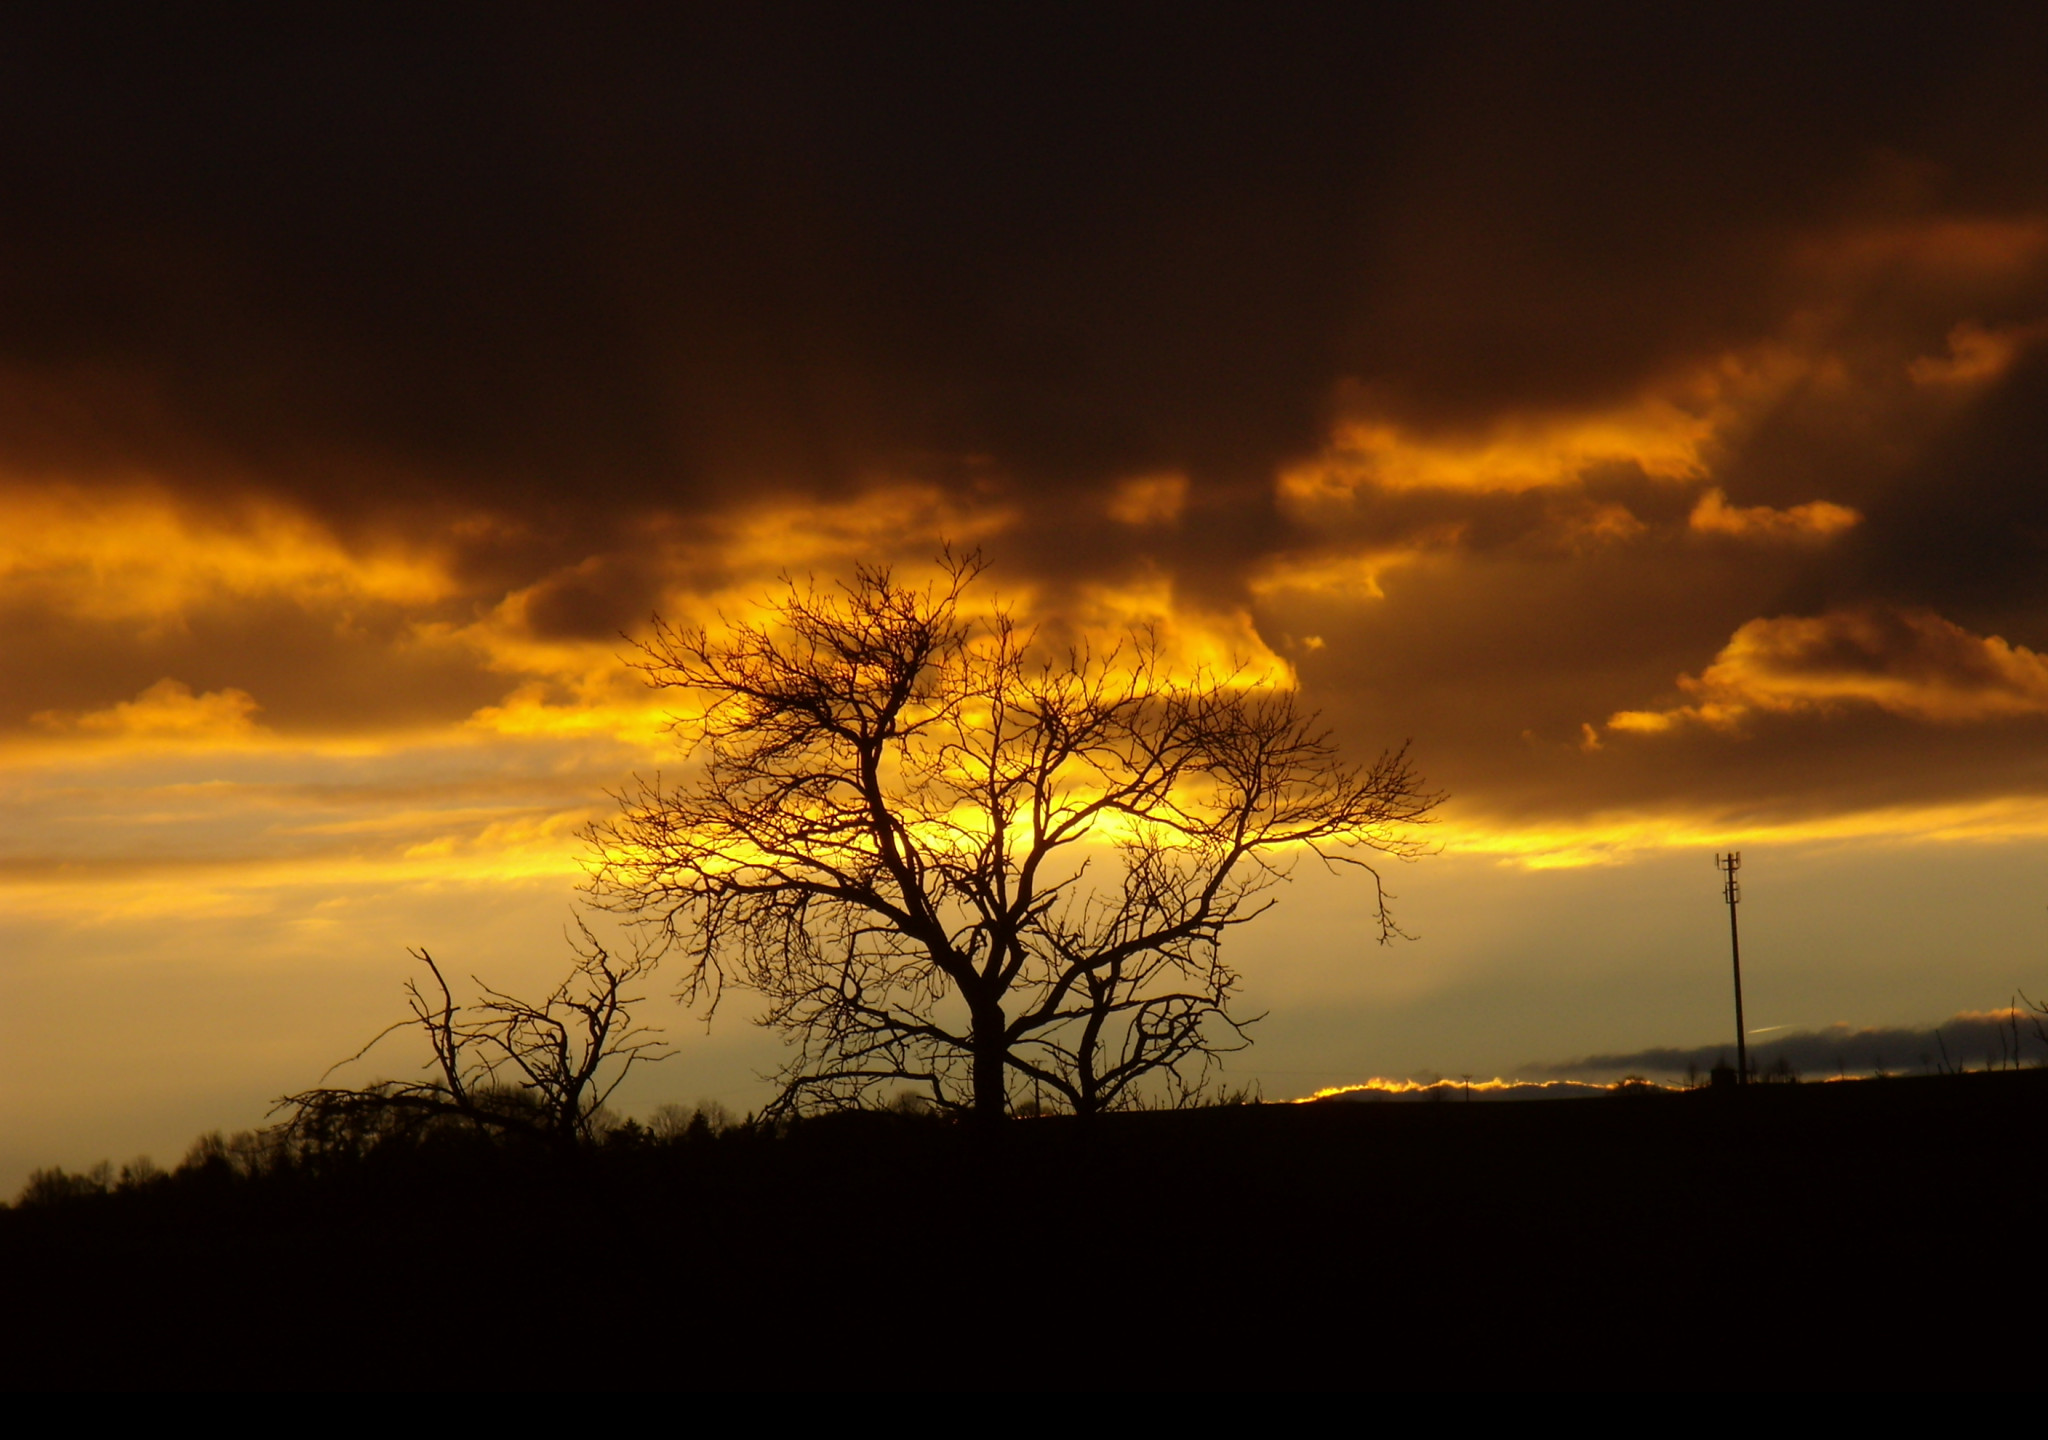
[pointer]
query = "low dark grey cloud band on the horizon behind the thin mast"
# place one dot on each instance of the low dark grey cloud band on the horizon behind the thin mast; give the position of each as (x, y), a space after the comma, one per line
(1969, 1042)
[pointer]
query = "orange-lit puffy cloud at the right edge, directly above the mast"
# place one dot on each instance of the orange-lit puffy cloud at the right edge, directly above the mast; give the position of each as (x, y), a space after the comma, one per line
(1906, 663)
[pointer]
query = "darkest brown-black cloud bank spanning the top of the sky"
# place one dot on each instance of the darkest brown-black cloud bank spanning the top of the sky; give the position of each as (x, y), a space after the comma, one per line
(519, 253)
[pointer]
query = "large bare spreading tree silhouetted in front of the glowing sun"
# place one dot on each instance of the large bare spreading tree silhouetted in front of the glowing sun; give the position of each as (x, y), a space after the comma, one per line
(957, 859)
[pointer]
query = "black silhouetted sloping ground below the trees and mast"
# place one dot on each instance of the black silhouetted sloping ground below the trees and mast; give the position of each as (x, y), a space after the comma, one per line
(1879, 1234)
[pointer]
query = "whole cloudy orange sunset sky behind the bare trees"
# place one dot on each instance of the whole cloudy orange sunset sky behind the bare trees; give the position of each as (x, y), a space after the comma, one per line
(1641, 411)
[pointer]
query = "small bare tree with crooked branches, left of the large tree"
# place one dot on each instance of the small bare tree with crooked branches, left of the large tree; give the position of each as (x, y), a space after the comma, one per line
(503, 1064)
